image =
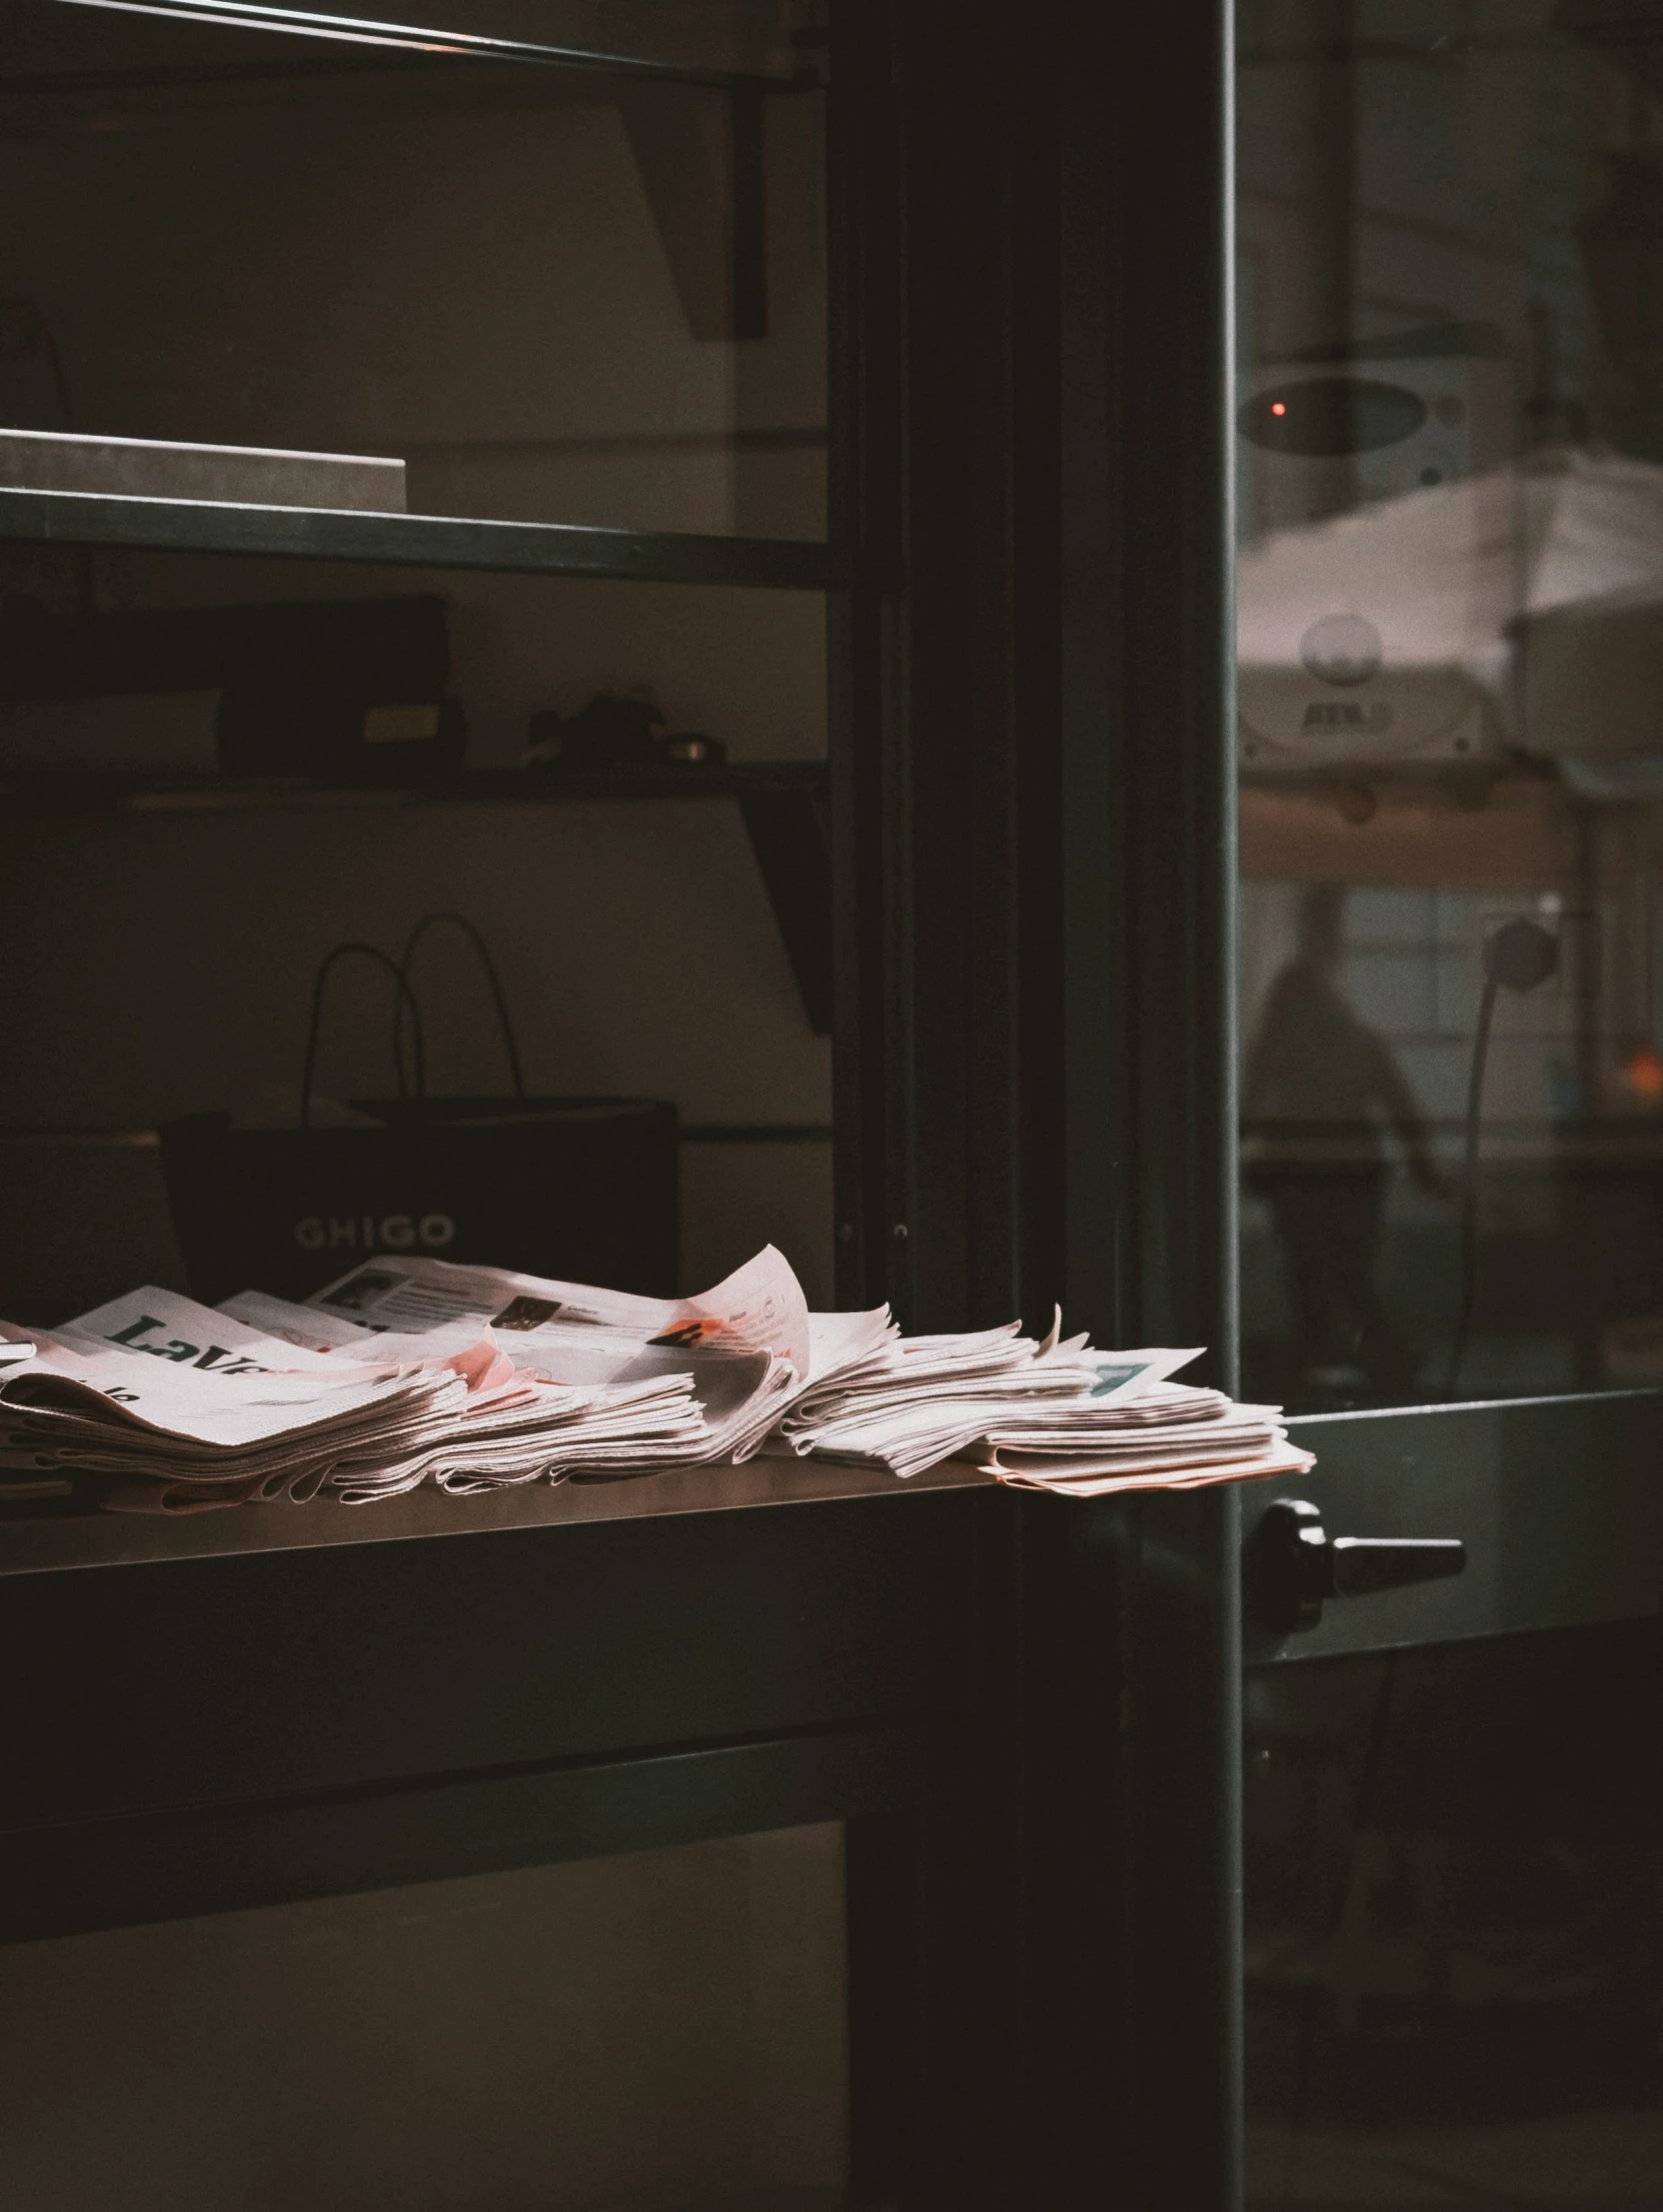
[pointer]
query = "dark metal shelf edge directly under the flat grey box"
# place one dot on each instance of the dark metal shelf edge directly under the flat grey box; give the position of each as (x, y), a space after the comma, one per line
(92, 519)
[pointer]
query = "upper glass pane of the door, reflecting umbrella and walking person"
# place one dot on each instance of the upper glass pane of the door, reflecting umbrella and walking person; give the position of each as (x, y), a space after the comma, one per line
(1452, 656)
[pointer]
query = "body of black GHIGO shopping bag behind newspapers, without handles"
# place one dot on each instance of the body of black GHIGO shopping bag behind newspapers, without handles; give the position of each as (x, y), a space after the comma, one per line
(578, 1189)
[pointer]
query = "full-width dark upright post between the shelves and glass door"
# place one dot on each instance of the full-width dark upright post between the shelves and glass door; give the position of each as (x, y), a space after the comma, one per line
(1036, 1014)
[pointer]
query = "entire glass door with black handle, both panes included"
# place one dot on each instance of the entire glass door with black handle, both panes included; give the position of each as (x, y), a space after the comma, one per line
(1450, 435)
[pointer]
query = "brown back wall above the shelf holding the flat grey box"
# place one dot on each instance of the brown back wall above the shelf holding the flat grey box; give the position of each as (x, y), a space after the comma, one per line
(463, 269)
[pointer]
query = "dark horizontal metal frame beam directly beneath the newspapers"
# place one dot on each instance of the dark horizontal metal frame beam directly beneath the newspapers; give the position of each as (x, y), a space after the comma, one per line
(479, 1700)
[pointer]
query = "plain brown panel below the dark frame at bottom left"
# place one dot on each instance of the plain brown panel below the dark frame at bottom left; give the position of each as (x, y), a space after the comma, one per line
(614, 2036)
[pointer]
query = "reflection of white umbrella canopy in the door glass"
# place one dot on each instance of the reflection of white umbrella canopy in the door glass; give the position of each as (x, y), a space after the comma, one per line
(1523, 607)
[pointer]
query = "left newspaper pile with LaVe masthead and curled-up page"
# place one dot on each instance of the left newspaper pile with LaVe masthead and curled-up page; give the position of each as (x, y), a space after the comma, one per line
(410, 1373)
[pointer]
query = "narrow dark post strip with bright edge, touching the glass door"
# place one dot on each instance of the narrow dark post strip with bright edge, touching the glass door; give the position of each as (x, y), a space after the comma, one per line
(1182, 1693)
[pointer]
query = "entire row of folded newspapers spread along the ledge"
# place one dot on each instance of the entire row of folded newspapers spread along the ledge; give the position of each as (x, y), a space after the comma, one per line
(415, 1373)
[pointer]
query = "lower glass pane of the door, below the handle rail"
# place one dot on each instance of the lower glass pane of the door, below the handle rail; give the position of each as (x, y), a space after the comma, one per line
(1456, 1928)
